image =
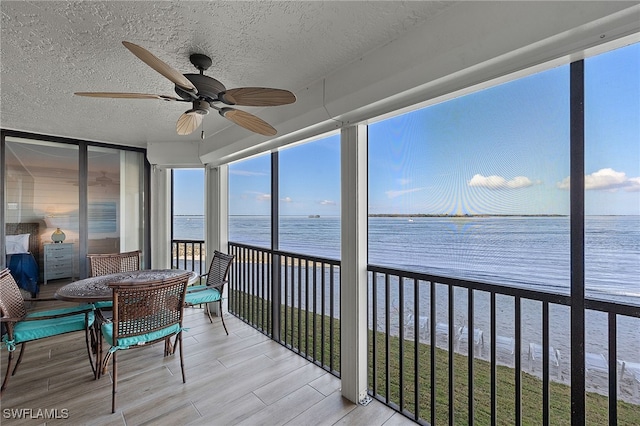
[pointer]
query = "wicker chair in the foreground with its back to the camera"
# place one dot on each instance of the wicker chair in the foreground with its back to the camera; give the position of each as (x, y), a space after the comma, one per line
(144, 314)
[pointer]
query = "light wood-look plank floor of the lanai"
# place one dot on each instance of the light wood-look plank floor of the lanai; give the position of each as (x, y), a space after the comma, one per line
(241, 379)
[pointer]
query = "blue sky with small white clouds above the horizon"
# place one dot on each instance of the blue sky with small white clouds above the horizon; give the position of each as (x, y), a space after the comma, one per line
(503, 150)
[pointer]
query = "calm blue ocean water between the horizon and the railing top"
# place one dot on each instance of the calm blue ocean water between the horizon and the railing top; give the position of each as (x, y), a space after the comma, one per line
(529, 252)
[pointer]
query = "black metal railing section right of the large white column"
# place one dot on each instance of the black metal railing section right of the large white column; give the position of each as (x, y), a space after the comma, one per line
(420, 362)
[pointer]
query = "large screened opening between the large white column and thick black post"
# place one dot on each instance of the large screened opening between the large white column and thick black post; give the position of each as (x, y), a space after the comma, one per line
(471, 188)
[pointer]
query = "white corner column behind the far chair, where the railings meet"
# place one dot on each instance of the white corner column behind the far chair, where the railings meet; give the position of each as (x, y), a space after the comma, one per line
(216, 201)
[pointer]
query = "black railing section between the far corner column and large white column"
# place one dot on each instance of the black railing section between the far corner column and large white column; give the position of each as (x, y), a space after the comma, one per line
(306, 319)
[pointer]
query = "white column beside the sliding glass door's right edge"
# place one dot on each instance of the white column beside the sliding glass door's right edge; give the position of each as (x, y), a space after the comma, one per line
(160, 217)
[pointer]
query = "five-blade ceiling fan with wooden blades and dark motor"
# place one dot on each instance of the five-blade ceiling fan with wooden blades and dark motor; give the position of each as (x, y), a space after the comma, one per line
(205, 92)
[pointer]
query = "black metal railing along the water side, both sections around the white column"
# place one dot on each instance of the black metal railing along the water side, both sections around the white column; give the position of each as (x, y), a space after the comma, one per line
(445, 350)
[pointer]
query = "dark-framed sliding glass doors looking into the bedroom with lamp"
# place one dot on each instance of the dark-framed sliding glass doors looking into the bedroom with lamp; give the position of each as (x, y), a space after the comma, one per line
(87, 198)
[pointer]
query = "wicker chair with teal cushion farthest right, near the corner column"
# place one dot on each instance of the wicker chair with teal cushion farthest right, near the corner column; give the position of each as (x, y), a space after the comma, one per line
(211, 292)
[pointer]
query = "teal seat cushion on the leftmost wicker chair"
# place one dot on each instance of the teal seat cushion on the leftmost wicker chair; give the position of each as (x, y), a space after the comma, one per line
(26, 331)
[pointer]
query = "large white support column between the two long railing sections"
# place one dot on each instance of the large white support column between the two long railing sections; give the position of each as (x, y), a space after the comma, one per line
(353, 272)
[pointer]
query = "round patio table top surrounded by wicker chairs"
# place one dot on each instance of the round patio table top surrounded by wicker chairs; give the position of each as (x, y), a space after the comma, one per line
(96, 289)
